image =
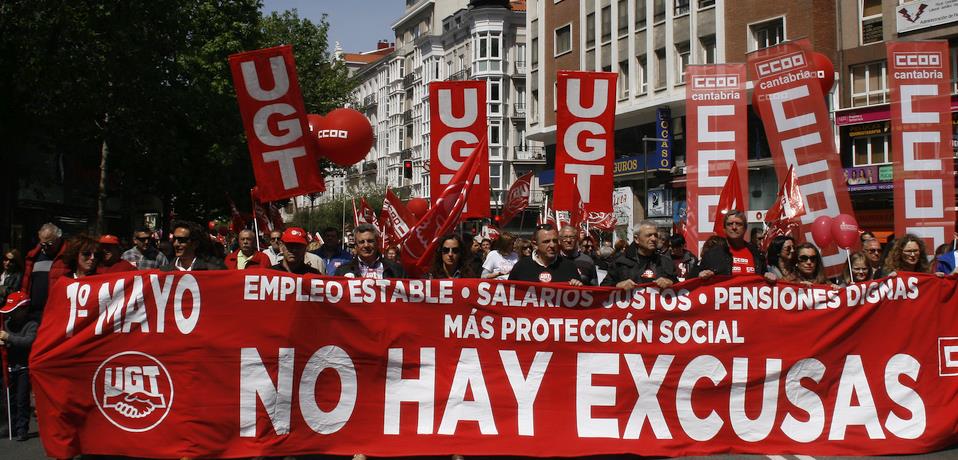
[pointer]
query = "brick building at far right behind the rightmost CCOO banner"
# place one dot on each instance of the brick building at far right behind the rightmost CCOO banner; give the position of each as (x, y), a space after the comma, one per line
(862, 120)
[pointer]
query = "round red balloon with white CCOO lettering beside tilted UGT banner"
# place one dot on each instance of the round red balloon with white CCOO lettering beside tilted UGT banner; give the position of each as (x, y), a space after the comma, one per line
(344, 136)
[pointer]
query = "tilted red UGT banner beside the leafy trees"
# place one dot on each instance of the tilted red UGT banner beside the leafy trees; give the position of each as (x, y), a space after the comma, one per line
(277, 133)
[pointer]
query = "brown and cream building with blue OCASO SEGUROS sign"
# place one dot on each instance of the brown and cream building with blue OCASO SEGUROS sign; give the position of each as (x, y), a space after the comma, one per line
(650, 43)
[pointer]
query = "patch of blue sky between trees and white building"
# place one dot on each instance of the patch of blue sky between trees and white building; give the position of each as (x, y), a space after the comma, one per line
(356, 24)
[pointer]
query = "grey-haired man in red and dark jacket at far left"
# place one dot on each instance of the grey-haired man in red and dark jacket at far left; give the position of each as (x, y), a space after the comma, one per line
(44, 265)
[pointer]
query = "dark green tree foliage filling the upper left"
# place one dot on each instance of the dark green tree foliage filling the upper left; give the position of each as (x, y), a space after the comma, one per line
(152, 80)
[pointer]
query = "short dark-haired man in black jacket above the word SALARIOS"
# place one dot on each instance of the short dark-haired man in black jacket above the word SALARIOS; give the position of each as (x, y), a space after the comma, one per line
(546, 265)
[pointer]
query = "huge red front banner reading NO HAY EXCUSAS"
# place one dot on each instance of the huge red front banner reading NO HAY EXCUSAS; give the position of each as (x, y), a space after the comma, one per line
(150, 364)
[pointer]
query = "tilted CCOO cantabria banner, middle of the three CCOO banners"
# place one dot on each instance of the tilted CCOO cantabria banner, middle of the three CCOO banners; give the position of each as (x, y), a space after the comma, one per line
(792, 108)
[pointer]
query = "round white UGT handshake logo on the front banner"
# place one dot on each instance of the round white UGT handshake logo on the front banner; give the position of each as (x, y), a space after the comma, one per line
(133, 391)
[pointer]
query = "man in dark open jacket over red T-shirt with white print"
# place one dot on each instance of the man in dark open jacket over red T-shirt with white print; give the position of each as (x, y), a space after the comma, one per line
(734, 256)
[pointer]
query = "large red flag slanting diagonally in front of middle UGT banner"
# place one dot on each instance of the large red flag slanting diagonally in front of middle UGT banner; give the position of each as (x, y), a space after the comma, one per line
(420, 243)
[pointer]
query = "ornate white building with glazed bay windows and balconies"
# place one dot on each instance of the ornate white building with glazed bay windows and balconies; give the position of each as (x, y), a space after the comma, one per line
(434, 41)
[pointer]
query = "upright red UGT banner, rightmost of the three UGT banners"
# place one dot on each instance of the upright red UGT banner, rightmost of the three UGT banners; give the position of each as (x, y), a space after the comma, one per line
(585, 139)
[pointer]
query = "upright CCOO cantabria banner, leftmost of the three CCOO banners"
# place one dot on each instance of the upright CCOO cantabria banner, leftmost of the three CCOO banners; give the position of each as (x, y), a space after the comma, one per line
(717, 121)
